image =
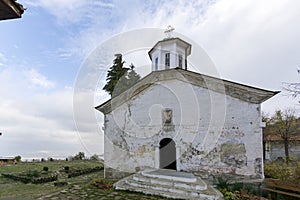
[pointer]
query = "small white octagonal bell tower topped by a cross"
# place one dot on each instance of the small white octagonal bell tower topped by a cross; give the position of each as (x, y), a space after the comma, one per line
(170, 53)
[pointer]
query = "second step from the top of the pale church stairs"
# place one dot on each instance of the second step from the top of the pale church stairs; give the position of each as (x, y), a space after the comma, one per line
(198, 185)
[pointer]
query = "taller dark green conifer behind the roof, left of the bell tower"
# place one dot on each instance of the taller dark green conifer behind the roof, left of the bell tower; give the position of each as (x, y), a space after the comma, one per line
(115, 75)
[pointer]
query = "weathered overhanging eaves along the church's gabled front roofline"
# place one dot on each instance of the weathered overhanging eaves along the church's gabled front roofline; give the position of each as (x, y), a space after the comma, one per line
(236, 90)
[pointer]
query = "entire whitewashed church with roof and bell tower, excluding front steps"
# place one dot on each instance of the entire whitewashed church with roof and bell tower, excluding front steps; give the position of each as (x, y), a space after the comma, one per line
(181, 120)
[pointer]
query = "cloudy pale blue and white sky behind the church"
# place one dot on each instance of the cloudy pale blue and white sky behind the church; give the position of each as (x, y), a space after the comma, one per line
(43, 57)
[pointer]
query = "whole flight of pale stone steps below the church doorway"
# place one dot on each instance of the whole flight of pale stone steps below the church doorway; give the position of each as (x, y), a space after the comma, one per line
(169, 188)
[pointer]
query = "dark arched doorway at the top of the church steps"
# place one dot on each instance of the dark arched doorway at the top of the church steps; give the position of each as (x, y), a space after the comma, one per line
(167, 154)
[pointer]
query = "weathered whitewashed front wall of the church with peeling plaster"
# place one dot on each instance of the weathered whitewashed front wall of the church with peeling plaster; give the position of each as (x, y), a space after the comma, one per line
(213, 132)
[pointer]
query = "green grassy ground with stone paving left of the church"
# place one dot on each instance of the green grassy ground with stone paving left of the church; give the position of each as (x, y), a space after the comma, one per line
(78, 187)
